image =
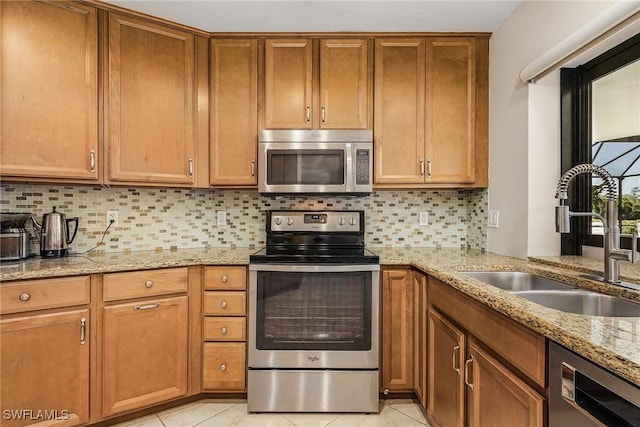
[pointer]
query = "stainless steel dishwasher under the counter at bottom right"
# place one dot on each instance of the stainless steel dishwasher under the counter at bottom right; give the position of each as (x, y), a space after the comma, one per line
(583, 394)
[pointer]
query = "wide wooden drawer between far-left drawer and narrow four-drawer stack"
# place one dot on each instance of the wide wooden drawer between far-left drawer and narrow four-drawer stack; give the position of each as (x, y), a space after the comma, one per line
(137, 284)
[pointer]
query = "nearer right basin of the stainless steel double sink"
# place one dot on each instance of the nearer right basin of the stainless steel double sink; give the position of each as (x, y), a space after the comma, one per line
(583, 302)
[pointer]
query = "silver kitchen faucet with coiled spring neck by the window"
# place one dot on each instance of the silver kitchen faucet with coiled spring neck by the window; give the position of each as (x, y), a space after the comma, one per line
(612, 252)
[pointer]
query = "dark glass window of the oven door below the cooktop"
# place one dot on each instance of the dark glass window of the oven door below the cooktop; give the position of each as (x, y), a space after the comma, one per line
(314, 311)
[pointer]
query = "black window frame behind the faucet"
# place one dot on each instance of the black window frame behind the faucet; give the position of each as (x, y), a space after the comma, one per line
(575, 119)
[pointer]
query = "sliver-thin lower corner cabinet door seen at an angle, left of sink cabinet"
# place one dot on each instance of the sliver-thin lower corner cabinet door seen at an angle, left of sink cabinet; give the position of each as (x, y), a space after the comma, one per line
(420, 344)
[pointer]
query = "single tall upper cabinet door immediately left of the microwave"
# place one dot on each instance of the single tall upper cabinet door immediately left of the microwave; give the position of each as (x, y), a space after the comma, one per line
(234, 112)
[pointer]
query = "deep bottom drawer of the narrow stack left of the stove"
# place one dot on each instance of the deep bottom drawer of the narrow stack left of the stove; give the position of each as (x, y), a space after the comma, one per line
(224, 366)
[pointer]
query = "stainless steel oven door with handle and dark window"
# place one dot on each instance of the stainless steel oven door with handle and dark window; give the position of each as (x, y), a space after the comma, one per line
(314, 316)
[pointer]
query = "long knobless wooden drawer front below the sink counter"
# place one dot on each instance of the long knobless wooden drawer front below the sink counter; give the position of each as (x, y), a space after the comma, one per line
(521, 347)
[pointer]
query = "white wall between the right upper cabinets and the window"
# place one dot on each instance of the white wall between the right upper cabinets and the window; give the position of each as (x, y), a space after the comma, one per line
(524, 143)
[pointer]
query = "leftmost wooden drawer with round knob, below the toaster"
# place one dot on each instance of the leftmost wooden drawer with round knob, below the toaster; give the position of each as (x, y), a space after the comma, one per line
(30, 295)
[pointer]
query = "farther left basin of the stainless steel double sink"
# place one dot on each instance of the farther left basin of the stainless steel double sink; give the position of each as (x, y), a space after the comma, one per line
(518, 281)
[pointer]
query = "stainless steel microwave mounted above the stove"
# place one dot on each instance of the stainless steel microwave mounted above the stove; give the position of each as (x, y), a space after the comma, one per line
(315, 161)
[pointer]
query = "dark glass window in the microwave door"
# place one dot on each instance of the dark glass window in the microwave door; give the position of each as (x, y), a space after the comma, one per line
(305, 167)
